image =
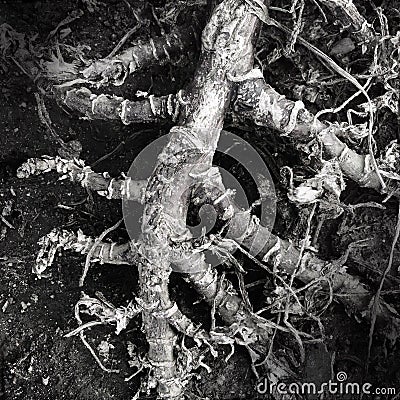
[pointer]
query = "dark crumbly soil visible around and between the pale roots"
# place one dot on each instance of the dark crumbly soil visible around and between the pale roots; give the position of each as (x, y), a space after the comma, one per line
(36, 361)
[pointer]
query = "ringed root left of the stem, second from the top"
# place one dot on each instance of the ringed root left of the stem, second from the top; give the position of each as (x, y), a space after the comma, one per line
(109, 107)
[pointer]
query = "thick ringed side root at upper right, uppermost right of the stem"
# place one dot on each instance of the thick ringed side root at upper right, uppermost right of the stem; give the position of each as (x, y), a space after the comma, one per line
(260, 102)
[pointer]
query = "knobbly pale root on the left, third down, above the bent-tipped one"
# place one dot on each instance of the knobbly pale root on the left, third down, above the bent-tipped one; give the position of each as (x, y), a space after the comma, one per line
(77, 172)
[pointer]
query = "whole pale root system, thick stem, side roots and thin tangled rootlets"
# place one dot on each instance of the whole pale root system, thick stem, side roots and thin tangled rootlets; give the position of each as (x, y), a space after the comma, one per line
(225, 75)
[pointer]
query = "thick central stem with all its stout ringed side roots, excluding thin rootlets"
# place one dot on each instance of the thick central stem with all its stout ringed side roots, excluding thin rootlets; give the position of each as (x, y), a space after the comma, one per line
(226, 64)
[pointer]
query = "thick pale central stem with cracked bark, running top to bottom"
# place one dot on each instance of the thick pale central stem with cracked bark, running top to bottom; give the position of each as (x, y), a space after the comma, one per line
(227, 46)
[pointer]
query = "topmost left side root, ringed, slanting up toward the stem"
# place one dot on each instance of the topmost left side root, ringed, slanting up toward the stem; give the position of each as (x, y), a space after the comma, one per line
(142, 55)
